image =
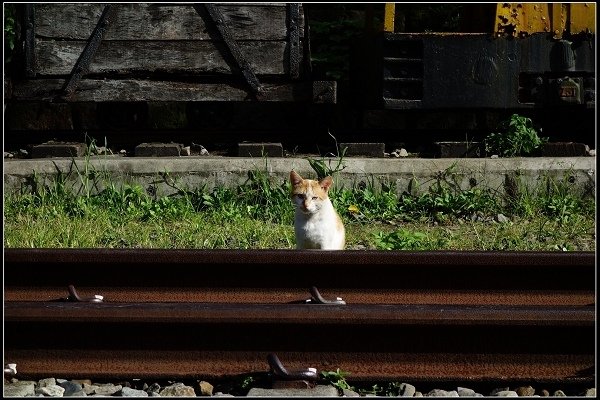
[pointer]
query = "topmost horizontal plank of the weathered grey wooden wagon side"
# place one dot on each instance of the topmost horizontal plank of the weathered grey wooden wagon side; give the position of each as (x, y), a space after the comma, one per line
(161, 22)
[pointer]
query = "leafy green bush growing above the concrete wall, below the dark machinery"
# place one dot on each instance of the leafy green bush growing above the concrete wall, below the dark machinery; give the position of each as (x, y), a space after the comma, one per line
(517, 137)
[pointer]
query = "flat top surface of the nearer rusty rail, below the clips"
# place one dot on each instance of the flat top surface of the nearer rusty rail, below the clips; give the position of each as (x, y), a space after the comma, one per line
(194, 313)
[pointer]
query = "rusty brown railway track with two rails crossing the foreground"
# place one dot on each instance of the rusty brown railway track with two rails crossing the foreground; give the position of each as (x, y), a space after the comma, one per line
(377, 315)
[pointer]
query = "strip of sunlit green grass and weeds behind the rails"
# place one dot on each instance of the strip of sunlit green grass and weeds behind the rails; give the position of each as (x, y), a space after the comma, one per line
(259, 215)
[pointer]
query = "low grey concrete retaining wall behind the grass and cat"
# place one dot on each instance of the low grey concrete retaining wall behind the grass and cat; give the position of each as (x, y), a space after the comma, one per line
(162, 175)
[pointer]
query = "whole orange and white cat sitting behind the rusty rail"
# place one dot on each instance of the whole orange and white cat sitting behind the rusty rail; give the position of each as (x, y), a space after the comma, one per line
(316, 223)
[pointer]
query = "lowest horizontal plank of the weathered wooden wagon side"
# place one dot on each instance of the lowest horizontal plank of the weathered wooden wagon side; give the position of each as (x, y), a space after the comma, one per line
(94, 90)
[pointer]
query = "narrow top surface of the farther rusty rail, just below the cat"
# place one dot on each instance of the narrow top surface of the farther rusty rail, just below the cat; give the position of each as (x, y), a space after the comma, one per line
(298, 257)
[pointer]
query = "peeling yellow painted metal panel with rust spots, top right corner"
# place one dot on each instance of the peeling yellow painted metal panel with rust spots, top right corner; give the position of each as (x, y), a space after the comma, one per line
(519, 19)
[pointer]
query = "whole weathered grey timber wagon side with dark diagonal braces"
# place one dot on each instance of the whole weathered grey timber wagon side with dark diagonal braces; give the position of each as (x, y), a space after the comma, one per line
(167, 52)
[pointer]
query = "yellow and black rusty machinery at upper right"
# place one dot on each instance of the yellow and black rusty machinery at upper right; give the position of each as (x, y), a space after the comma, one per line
(526, 55)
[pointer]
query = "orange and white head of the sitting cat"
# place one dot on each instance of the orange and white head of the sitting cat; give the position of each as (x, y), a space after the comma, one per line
(309, 195)
